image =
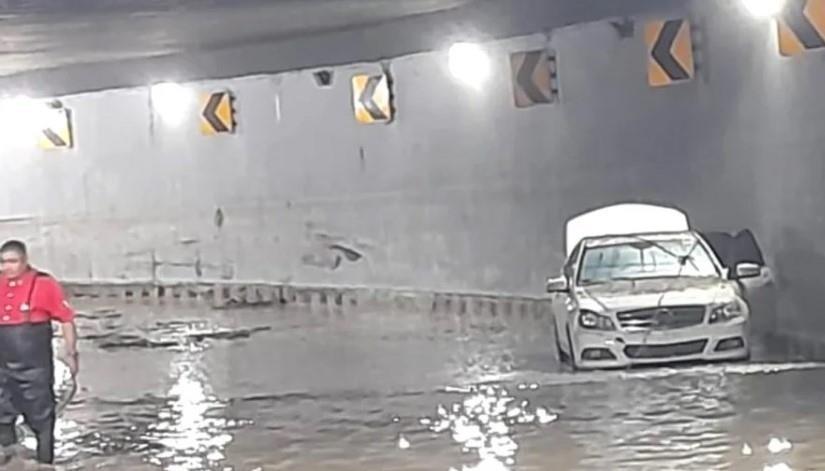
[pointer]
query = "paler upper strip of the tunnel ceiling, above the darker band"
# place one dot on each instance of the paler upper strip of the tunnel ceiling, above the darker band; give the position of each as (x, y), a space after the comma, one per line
(51, 33)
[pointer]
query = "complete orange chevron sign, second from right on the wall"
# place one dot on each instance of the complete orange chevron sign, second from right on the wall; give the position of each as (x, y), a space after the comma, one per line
(670, 52)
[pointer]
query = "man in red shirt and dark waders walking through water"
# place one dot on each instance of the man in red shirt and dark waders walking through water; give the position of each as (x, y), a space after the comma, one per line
(29, 301)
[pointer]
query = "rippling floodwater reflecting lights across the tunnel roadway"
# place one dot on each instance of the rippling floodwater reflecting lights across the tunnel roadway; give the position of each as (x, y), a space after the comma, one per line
(182, 389)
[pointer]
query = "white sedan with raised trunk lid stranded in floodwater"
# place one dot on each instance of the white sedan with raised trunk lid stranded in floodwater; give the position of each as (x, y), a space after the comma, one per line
(630, 294)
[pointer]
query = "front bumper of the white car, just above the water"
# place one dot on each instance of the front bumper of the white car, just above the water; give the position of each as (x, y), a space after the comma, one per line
(717, 342)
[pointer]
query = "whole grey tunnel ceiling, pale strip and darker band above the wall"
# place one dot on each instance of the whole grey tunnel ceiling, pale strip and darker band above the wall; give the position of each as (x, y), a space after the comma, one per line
(58, 46)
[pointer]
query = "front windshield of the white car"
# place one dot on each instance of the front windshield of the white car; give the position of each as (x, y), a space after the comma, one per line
(640, 258)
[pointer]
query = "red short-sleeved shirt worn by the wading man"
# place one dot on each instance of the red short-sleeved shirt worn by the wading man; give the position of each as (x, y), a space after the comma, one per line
(33, 297)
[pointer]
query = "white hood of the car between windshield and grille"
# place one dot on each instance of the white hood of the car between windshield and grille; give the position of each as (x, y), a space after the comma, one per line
(626, 295)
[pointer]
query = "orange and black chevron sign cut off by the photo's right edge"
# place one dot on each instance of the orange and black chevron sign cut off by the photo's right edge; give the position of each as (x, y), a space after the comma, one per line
(801, 27)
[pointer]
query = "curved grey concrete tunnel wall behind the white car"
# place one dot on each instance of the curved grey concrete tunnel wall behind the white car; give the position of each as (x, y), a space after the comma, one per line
(461, 192)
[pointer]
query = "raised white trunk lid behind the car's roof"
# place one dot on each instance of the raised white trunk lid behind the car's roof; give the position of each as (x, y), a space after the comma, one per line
(622, 219)
